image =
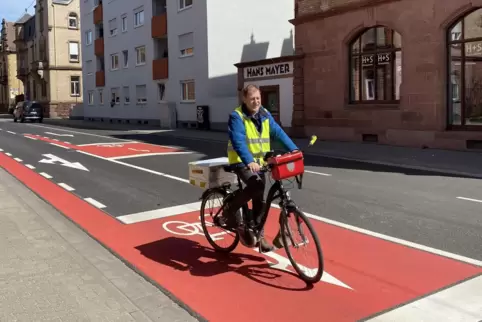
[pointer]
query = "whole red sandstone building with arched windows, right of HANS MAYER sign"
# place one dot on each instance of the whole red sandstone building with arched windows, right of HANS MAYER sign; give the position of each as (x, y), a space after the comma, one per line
(401, 72)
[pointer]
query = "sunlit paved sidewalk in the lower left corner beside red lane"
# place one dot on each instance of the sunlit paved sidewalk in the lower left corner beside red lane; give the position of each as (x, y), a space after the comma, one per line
(52, 271)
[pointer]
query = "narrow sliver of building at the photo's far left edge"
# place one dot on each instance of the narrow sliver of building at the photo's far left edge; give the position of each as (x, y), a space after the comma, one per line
(10, 85)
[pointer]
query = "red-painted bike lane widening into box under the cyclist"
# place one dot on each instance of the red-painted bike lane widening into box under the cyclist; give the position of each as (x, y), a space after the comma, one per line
(364, 274)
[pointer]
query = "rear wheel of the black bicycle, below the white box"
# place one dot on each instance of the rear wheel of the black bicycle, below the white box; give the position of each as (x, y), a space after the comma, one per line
(224, 235)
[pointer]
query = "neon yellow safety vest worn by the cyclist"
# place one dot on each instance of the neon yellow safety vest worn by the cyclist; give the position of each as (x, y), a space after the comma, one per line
(258, 143)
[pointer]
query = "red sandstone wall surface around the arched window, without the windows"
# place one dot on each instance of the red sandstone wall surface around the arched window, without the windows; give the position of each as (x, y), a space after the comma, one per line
(422, 25)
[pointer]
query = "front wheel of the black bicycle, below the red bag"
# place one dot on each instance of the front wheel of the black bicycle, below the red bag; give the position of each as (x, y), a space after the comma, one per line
(289, 232)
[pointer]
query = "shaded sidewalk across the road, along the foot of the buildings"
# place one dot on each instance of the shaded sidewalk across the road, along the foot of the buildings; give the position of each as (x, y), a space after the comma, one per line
(462, 163)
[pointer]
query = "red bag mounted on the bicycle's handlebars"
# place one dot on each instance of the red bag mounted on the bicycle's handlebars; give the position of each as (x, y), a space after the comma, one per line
(287, 165)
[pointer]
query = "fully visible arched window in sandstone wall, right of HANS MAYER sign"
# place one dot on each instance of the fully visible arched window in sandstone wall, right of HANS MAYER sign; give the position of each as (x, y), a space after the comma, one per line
(376, 66)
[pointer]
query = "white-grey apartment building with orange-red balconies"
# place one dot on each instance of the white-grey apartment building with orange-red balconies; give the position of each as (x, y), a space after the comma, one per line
(144, 59)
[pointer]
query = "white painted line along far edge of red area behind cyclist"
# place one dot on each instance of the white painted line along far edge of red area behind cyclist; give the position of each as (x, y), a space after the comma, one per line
(162, 213)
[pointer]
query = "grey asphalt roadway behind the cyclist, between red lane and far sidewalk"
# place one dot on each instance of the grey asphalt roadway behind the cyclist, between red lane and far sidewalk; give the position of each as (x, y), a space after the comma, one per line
(417, 206)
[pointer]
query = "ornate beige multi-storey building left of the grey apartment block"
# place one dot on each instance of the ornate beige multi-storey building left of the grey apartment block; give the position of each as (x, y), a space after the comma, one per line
(48, 56)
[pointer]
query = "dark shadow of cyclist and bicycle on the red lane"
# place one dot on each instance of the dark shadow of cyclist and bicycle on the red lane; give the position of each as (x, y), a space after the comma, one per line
(190, 256)
